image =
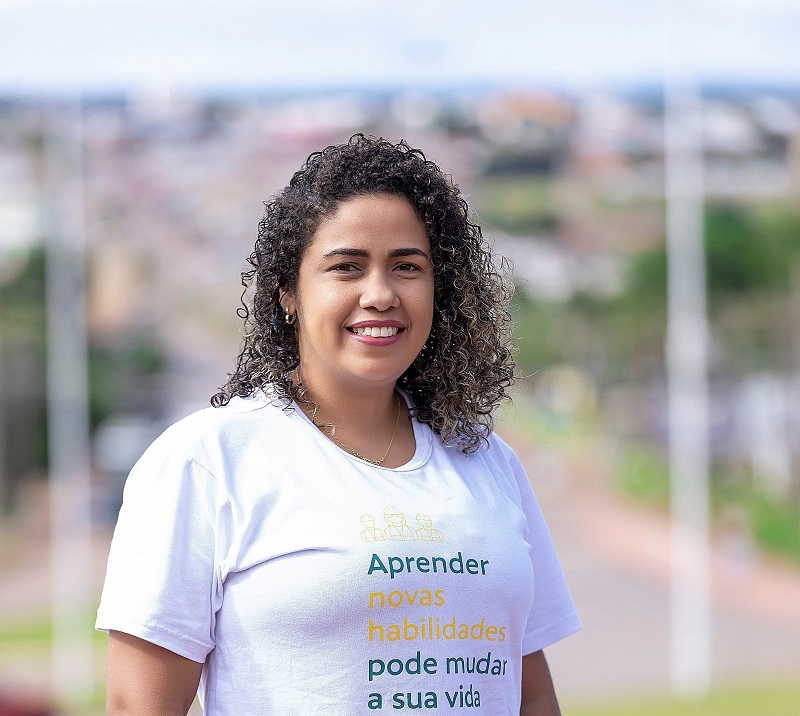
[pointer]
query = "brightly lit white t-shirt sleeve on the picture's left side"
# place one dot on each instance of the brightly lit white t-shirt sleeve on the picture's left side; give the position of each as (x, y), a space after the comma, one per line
(161, 581)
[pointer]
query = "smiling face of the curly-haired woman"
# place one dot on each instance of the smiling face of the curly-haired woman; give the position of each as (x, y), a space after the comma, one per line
(364, 295)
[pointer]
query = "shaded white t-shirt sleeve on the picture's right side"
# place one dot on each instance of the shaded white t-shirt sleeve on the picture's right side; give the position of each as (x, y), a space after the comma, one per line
(553, 615)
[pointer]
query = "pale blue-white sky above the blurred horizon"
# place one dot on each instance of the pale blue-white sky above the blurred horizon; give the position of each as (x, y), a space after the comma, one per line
(110, 45)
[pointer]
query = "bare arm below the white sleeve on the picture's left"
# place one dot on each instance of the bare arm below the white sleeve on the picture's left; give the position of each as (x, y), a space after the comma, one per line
(147, 680)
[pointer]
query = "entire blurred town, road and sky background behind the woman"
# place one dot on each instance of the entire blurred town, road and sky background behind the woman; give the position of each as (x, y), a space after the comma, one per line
(138, 142)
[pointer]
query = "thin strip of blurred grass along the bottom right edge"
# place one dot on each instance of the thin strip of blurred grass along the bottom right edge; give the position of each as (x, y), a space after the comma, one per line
(780, 699)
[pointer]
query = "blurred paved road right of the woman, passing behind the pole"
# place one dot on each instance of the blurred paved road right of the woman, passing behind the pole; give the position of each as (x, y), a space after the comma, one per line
(616, 558)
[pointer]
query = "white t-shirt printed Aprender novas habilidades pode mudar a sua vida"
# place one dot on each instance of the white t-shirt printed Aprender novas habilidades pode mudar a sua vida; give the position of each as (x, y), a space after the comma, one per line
(312, 583)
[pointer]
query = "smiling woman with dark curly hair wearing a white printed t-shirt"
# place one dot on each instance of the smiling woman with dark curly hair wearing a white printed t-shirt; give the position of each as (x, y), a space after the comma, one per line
(342, 533)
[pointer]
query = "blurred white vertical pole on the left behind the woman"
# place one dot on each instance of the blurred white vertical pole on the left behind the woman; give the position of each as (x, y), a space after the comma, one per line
(67, 403)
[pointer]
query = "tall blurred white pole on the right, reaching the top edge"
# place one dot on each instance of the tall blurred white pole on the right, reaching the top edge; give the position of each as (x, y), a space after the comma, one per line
(687, 358)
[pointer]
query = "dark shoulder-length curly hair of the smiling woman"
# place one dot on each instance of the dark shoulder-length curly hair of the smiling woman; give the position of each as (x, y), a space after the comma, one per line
(465, 368)
